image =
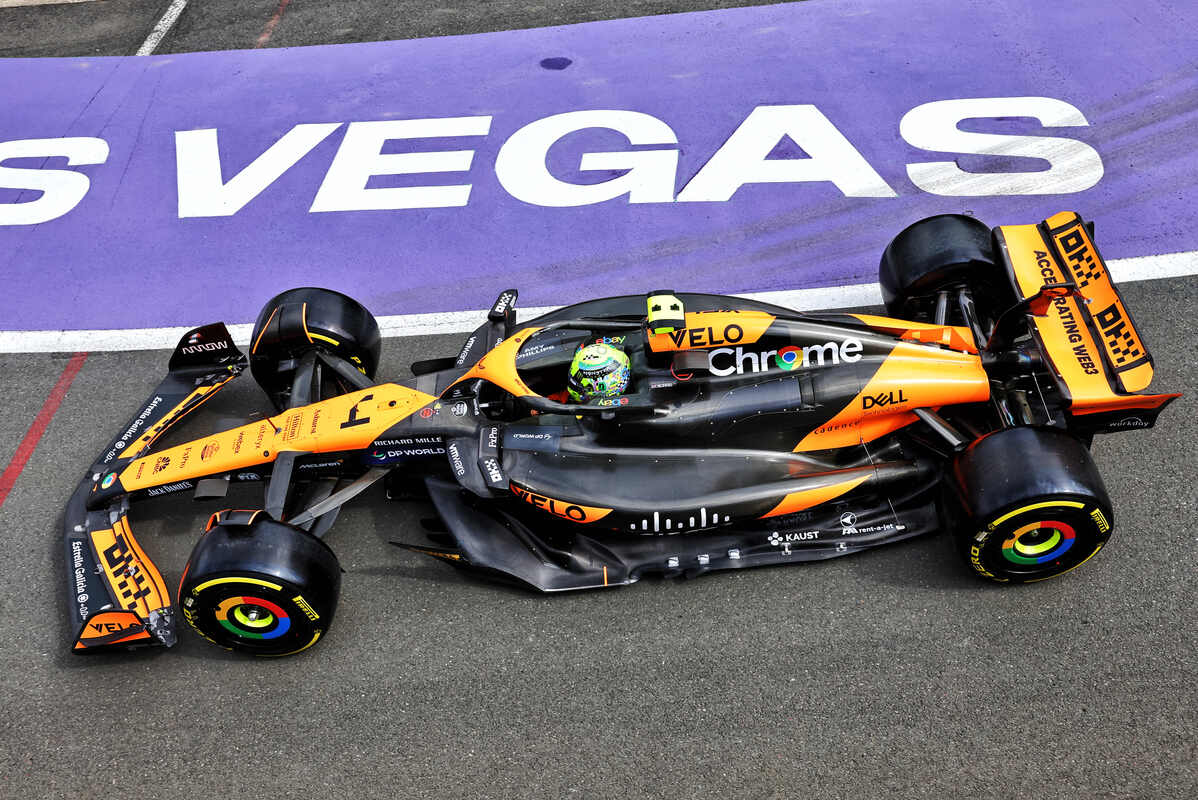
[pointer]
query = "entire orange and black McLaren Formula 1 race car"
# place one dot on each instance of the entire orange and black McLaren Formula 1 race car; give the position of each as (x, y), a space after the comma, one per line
(749, 435)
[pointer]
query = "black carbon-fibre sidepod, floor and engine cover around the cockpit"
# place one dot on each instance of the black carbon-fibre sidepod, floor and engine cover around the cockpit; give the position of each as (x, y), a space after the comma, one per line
(692, 482)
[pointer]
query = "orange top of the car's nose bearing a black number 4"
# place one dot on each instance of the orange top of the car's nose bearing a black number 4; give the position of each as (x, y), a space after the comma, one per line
(344, 423)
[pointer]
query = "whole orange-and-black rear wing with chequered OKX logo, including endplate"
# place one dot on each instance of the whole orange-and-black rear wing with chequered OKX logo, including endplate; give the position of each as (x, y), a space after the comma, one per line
(1097, 355)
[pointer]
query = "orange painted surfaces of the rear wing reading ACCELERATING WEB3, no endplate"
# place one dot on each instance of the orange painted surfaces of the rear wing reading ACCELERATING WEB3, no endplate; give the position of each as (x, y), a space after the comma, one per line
(1072, 347)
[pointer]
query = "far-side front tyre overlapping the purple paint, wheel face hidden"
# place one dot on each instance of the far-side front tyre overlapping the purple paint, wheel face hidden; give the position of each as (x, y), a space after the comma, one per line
(300, 320)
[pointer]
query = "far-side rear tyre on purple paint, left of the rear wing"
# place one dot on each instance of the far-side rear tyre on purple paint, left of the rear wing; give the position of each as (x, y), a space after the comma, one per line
(940, 253)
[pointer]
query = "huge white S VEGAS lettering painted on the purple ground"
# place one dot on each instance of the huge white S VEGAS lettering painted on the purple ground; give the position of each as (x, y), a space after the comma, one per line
(645, 175)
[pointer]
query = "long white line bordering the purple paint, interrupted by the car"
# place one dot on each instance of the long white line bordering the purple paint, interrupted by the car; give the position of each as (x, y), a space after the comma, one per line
(1149, 268)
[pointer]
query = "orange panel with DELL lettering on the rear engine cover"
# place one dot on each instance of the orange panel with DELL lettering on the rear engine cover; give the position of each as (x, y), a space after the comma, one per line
(912, 377)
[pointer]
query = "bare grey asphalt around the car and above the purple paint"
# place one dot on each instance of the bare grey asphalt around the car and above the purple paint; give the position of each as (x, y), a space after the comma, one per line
(888, 674)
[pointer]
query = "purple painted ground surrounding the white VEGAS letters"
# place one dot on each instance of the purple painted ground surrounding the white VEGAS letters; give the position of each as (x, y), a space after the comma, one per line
(123, 258)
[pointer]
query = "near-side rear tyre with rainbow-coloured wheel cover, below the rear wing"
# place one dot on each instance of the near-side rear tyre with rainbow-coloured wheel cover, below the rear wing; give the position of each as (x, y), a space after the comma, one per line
(1034, 506)
